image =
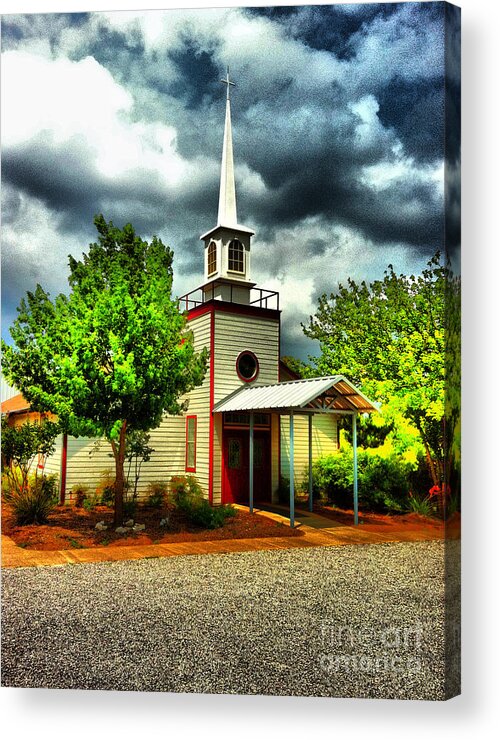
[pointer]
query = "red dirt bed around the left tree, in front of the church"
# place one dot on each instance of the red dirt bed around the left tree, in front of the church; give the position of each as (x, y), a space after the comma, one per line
(70, 527)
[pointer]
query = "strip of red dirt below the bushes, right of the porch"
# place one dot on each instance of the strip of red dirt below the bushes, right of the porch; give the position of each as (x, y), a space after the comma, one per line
(385, 523)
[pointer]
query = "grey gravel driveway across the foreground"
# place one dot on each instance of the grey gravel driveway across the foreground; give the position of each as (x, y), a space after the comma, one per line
(365, 621)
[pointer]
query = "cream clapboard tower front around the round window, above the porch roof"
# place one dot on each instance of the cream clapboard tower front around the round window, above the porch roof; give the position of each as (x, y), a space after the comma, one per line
(235, 333)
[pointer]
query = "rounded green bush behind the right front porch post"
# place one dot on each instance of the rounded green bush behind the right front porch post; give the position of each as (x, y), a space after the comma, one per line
(383, 482)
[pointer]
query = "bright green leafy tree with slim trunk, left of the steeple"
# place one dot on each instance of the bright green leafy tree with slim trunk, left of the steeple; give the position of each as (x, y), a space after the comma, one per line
(113, 356)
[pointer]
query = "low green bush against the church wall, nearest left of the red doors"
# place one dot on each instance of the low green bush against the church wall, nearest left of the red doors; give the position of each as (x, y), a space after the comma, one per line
(186, 496)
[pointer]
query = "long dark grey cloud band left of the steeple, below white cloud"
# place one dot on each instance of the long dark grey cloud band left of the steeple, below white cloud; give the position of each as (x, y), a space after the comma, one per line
(65, 178)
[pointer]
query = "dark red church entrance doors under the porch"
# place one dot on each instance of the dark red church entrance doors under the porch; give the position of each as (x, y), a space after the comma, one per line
(236, 454)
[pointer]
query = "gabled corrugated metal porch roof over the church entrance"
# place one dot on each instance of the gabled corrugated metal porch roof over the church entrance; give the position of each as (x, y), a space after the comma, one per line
(326, 394)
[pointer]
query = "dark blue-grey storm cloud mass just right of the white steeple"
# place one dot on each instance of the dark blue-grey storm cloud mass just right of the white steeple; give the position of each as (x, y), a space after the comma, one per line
(323, 177)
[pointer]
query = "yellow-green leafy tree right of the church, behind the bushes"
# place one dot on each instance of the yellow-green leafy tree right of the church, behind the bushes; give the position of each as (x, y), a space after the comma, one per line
(390, 337)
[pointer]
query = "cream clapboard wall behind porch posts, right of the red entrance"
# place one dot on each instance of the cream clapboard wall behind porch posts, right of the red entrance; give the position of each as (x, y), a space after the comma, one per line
(324, 439)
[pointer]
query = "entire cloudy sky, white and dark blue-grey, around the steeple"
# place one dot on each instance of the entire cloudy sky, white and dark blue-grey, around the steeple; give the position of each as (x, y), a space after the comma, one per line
(338, 128)
